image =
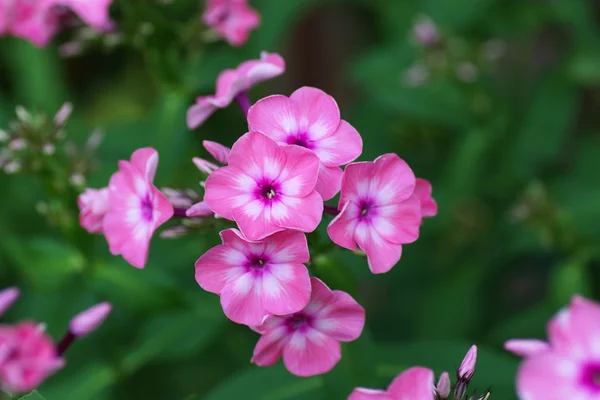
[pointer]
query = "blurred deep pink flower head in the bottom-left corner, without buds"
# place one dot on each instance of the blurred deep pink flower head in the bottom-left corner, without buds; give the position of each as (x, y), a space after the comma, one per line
(27, 356)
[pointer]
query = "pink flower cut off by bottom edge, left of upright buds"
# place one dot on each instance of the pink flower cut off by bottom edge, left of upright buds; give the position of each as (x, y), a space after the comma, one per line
(413, 384)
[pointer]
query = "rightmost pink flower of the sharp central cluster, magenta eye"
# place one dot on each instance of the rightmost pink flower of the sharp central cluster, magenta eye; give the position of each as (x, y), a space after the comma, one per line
(378, 211)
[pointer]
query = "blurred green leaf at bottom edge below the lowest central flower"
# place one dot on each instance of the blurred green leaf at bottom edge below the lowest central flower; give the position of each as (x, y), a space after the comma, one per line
(271, 383)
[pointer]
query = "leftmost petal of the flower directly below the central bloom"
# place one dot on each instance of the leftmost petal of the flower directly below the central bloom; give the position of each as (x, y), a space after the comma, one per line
(218, 266)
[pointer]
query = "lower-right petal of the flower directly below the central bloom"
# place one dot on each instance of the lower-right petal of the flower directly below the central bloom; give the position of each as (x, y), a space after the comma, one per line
(285, 288)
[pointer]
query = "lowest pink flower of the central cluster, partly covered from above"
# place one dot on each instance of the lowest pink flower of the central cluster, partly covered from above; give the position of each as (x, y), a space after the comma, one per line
(309, 340)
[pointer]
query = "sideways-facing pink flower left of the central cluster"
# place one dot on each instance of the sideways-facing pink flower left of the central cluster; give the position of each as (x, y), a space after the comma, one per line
(137, 207)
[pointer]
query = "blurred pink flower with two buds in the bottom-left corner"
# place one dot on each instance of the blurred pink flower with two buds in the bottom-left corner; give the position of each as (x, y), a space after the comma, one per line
(28, 355)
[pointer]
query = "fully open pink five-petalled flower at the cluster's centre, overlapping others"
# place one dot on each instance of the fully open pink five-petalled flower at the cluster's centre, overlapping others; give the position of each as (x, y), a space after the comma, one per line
(266, 188)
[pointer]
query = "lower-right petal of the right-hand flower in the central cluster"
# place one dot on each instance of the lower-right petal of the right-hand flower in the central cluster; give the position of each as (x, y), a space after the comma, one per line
(398, 223)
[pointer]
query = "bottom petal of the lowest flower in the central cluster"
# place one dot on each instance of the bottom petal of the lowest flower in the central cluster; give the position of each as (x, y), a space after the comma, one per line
(311, 352)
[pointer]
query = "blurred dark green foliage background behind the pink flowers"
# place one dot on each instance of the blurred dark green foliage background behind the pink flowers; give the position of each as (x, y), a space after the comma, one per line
(501, 115)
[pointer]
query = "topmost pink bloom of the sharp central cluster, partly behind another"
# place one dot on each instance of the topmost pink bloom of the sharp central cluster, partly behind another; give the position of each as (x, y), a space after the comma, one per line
(310, 118)
